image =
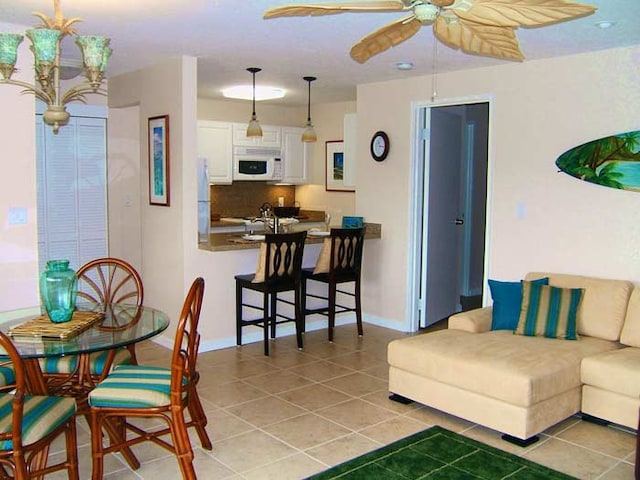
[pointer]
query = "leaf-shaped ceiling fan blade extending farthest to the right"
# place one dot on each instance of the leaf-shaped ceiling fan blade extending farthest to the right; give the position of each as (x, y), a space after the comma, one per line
(518, 13)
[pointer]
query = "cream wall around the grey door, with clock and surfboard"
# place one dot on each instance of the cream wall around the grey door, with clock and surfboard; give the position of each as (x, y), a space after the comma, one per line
(539, 109)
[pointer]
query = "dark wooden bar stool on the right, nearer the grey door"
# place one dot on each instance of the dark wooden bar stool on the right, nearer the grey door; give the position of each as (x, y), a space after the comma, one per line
(340, 261)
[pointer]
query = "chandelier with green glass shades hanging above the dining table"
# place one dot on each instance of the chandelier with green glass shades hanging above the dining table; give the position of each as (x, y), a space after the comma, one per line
(45, 46)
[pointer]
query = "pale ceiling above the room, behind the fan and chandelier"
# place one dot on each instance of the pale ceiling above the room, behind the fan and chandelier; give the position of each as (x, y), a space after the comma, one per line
(228, 36)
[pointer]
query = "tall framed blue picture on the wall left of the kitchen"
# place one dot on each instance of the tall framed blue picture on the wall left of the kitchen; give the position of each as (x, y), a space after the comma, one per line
(159, 161)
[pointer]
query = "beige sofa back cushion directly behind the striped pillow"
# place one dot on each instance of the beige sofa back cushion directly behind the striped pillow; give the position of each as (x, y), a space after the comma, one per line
(604, 304)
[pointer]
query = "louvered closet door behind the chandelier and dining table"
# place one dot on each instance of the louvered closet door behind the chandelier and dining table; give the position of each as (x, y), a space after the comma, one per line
(72, 191)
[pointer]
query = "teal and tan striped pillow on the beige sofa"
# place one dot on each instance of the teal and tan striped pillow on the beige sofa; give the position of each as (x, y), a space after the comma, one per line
(548, 311)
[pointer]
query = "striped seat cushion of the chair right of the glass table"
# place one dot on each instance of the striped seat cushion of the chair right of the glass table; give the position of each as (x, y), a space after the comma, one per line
(134, 386)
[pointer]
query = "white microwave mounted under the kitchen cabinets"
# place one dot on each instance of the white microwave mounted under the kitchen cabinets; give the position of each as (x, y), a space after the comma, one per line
(257, 164)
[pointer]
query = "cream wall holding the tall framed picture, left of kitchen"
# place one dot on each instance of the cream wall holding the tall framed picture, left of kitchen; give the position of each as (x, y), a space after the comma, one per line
(163, 232)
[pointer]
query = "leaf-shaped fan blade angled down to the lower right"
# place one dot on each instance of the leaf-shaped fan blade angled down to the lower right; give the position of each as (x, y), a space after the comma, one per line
(476, 38)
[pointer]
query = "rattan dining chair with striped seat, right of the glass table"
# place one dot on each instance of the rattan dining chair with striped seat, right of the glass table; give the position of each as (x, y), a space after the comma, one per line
(155, 392)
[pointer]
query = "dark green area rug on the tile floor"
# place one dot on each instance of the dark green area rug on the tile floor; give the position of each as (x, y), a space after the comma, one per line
(438, 454)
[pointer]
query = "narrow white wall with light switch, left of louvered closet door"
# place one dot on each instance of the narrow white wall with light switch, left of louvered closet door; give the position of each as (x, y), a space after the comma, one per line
(18, 243)
